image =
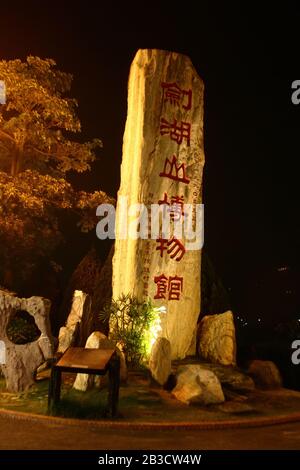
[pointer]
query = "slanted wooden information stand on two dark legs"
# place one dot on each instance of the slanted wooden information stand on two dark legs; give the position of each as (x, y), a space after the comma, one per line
(86, 361)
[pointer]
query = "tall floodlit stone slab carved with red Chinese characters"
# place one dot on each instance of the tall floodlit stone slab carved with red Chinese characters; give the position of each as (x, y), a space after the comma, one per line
(162, 164)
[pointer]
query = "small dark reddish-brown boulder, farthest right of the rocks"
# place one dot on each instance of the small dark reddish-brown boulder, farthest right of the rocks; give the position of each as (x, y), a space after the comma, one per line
(265, 374)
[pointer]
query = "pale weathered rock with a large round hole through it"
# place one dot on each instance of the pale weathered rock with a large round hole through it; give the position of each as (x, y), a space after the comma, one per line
(22, 360)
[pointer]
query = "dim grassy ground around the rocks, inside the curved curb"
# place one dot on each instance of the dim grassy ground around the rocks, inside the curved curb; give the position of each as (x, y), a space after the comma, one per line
(140, 402)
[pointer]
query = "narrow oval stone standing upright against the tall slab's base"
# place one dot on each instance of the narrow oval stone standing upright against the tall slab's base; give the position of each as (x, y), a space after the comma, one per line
(160, 360)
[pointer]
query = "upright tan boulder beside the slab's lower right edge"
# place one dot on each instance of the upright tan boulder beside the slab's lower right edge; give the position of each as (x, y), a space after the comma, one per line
(217, 341)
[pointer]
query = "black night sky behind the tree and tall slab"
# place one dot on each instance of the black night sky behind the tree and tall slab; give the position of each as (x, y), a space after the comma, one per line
(248, 59)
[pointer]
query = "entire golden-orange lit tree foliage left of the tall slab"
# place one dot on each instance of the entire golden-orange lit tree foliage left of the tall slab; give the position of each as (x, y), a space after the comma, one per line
(36, 151)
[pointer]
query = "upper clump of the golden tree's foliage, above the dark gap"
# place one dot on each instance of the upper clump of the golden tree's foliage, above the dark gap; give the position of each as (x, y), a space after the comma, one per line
(35, 116)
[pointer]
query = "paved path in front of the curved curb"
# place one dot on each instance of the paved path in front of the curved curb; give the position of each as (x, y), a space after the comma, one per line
(23, 434)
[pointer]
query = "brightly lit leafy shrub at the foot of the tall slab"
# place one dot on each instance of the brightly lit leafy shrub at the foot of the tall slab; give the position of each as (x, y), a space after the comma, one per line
(131, 320)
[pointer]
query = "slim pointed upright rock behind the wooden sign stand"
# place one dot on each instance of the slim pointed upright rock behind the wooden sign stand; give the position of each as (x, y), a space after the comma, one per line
(79, 323)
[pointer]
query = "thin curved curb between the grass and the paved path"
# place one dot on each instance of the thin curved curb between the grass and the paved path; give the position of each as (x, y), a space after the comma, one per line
(203, 425)
